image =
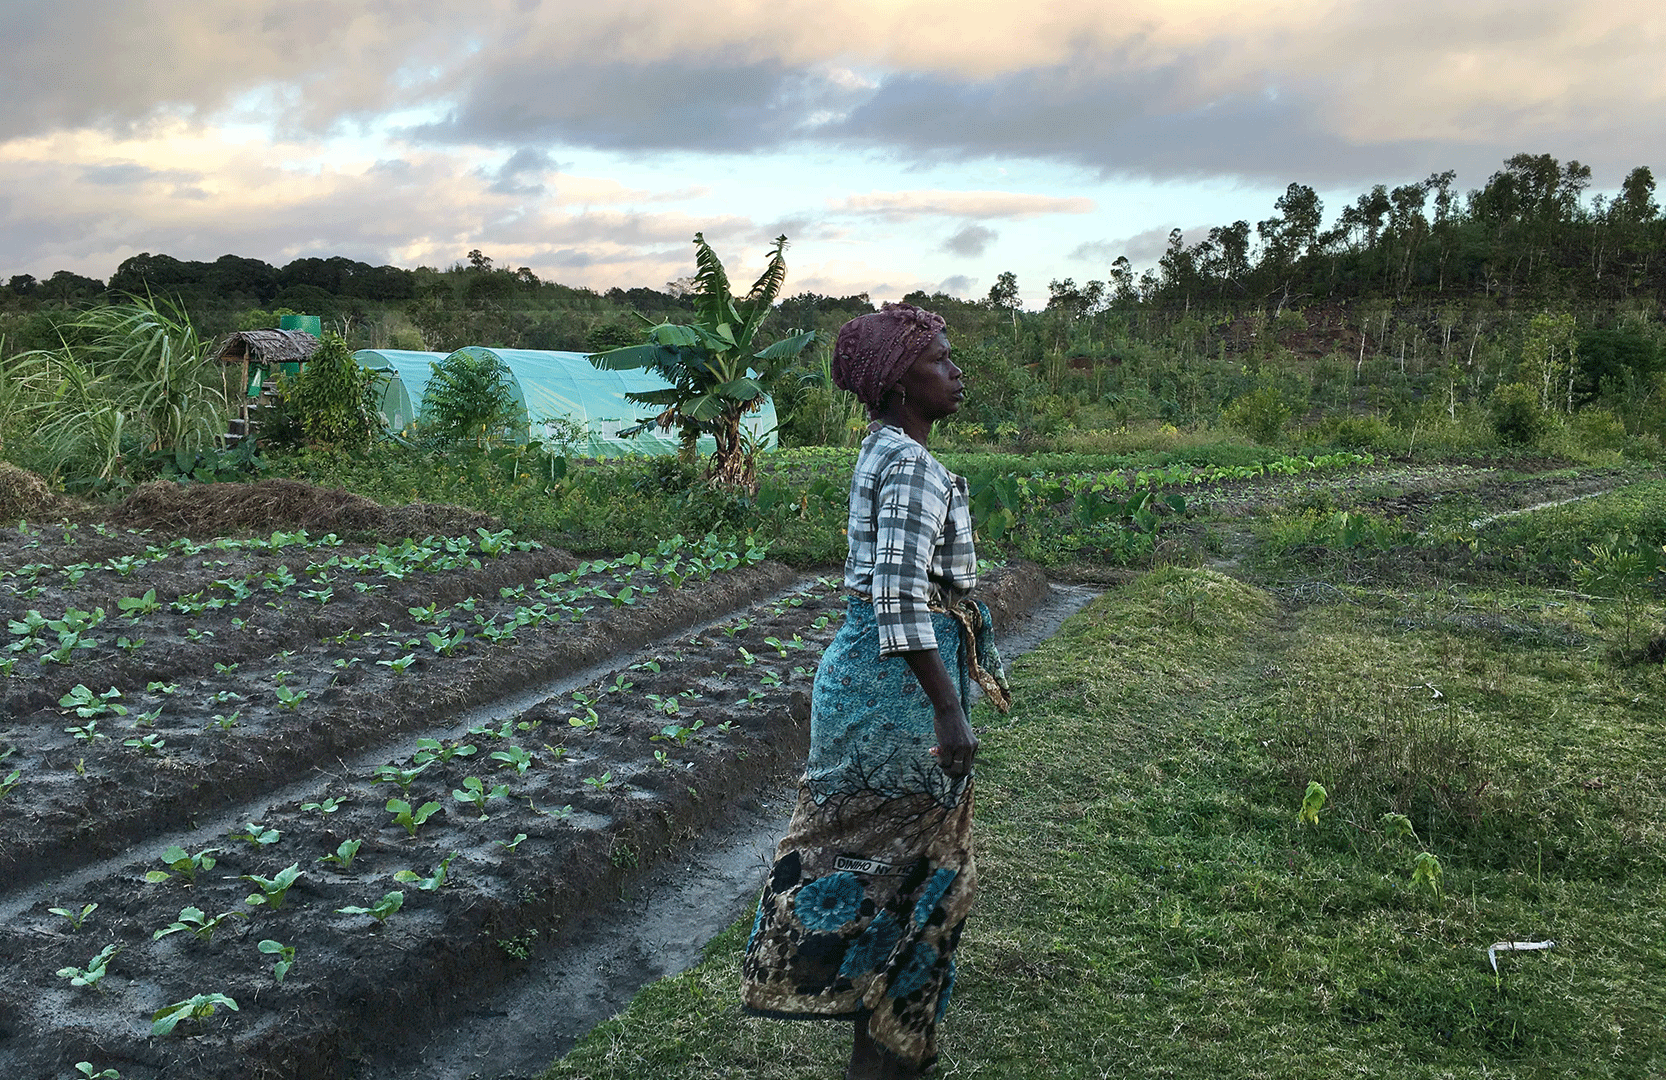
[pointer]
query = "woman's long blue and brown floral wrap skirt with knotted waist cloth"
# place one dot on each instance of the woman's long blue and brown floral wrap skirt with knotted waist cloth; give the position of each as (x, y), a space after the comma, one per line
(874, 881)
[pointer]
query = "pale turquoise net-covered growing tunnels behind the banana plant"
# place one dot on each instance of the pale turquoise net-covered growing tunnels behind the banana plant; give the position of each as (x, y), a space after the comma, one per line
(566, 387)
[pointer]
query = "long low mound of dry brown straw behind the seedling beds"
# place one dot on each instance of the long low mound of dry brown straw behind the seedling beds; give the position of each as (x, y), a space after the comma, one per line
(266, 506)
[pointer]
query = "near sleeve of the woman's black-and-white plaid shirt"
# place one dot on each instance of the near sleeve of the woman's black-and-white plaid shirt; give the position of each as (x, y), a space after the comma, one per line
(912, 511)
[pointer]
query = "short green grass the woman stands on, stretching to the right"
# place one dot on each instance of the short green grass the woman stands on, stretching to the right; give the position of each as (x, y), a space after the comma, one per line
(1152, 906)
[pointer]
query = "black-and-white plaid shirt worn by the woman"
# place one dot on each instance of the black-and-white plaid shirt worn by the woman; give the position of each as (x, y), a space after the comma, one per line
(910, 537)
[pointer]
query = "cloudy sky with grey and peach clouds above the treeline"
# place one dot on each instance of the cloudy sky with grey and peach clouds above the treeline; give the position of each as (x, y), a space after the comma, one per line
(899, 144)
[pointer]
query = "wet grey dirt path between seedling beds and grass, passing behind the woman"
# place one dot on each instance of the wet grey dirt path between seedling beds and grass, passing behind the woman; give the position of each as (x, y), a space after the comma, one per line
(657, 927)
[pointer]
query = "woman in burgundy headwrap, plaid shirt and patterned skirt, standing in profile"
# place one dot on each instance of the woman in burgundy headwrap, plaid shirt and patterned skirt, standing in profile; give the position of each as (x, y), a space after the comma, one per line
(874, 881)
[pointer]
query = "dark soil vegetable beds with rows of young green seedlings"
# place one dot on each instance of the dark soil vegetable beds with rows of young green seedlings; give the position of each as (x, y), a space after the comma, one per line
(254, 757)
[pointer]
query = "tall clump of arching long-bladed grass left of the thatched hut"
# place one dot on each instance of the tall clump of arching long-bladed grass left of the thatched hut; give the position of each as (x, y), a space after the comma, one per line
(127, 384)
